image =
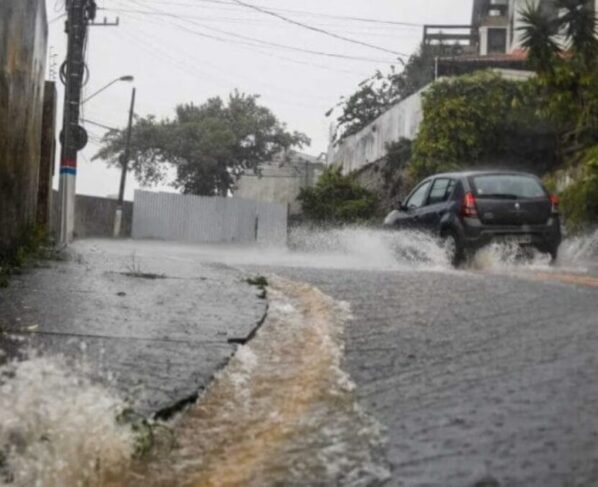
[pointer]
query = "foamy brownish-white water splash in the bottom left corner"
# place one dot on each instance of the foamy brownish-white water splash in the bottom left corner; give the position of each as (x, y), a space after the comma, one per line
(57, 429)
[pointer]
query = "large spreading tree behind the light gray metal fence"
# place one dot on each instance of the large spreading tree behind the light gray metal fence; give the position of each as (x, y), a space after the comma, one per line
(210, 146)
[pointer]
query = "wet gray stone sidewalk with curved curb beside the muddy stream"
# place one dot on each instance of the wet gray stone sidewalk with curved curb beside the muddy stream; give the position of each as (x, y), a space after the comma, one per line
(146, 318)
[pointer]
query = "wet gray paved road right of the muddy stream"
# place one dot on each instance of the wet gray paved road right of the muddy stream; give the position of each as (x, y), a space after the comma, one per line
(475, 376)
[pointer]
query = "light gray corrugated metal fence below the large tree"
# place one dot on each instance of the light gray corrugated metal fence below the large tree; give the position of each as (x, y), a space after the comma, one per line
(169, 216)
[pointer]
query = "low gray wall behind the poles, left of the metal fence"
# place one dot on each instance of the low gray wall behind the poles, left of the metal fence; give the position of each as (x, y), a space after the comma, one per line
(94, 216)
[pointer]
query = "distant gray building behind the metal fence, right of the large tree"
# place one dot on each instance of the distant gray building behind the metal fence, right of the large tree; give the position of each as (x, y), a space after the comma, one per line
(281, 180)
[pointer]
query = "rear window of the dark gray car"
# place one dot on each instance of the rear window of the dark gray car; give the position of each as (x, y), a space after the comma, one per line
(515, 186)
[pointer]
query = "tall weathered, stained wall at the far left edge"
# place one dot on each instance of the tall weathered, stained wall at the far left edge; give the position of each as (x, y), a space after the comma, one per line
(23, 38)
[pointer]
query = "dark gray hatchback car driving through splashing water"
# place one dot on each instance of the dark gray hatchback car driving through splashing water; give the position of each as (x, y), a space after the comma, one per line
(468, 210)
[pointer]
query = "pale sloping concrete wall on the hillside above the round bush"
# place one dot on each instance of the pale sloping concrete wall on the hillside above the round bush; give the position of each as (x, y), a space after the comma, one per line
(369, 145)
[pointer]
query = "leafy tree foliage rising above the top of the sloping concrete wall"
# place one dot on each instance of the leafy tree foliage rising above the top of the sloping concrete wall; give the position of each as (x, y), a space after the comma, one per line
(379, 92)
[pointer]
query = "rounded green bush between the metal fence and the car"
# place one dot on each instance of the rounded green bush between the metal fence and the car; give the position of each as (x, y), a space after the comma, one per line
(338, 199)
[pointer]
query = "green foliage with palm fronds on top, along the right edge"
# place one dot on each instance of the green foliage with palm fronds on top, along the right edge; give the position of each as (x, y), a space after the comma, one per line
(567, 87)
